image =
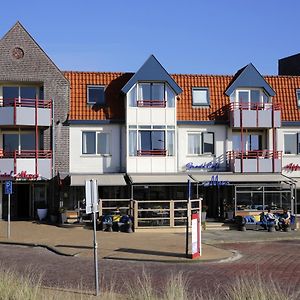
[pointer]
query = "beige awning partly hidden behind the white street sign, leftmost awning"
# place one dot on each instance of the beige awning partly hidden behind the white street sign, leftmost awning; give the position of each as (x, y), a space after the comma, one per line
(102, 180)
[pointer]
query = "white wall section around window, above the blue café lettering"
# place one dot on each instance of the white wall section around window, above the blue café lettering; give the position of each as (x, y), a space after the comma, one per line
(220, 135)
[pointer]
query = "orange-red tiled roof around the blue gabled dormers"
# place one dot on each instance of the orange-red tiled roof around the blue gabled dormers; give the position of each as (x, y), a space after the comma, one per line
(284, 86)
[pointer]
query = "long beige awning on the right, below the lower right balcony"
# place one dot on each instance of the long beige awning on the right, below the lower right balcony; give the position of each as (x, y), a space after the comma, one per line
(244, 178)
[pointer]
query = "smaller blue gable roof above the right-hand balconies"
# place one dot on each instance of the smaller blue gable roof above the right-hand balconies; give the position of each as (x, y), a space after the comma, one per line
(249, 77)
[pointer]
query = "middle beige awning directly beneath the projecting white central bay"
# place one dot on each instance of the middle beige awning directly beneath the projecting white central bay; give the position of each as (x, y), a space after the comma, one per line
(159, 178)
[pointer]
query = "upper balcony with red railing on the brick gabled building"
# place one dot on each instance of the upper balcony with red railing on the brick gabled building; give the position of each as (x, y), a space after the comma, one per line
(26, 112)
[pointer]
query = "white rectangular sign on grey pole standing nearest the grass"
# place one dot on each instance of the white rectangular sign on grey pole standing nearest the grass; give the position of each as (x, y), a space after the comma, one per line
(91, 200)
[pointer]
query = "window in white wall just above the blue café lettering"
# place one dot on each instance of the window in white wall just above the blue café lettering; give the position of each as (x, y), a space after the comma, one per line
(201, 143)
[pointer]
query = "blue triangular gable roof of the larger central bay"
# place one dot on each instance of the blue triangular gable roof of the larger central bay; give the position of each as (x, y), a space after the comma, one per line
(152, 70)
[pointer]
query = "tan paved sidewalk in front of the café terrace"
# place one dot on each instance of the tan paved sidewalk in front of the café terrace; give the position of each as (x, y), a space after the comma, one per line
(143, 246)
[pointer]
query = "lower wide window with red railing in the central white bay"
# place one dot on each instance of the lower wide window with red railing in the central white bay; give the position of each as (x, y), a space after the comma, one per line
(151, 140)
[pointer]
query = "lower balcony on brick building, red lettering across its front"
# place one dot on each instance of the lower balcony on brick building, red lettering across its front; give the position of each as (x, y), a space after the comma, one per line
(26, 164)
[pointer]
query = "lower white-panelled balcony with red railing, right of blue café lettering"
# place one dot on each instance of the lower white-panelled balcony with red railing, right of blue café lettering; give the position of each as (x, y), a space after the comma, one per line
(260, 161)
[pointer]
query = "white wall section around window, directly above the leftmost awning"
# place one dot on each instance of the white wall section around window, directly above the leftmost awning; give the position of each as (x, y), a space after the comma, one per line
(80, 163)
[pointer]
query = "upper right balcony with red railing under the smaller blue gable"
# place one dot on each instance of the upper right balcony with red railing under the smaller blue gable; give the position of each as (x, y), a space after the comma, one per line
(254, 115)
